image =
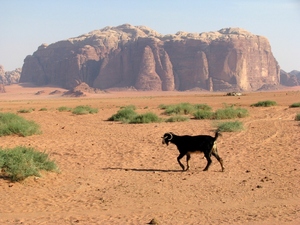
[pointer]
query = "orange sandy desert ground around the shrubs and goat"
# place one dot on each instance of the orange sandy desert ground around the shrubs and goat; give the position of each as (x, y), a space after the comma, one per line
(113, 173)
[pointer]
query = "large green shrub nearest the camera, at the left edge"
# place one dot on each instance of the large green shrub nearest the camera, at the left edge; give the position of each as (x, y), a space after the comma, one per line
(21, 162)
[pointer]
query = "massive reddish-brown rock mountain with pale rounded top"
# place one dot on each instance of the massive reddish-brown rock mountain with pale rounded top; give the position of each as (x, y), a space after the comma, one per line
(137, 56)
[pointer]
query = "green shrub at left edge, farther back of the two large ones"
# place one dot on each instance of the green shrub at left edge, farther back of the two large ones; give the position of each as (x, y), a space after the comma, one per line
(13, 124)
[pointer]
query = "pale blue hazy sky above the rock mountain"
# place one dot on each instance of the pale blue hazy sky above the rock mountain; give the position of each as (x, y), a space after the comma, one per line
(26, 24)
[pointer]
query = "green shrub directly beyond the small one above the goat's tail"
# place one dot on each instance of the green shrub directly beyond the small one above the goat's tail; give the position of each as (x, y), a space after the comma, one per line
(230, 112)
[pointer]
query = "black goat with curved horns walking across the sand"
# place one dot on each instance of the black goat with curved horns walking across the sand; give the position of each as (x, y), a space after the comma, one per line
(192, 144)
